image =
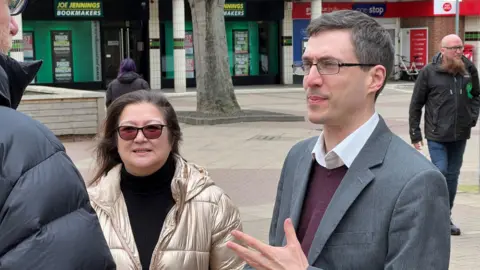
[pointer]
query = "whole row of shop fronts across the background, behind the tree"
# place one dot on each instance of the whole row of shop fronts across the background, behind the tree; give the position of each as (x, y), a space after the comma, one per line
(82, 42)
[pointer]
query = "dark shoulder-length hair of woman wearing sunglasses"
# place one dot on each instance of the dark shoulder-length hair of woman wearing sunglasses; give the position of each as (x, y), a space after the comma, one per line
(106, 150)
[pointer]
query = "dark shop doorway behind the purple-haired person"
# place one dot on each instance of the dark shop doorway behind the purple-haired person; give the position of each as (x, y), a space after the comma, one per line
(122, 40)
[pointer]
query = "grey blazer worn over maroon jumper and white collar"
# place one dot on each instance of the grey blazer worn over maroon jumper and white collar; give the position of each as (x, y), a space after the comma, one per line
(391, 210)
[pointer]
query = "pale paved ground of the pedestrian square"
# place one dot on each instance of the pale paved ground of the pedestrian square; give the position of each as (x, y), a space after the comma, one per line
(245, 159)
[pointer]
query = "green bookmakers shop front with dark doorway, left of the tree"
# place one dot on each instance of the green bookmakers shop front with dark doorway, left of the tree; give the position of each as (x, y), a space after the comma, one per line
(82, 42)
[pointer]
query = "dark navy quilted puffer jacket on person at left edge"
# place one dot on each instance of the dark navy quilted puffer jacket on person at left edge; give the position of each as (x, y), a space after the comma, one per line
(46, 221)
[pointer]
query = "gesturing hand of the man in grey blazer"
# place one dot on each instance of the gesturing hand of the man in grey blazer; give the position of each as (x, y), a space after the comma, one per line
(289, 257)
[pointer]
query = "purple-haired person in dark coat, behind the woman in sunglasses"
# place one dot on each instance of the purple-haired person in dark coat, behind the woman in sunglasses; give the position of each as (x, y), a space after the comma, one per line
(128, 80)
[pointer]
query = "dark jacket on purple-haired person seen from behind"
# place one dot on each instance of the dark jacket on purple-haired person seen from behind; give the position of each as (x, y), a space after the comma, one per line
(126, 83)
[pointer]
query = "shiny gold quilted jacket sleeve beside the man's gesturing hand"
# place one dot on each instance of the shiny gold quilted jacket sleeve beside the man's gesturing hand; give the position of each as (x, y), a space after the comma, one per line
(227, 220)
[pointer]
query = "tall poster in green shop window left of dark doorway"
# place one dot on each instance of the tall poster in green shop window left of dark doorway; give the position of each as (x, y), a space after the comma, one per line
(62, 56)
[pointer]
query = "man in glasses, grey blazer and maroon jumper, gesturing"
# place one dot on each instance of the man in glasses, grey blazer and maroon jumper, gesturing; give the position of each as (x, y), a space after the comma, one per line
(357, 196)
